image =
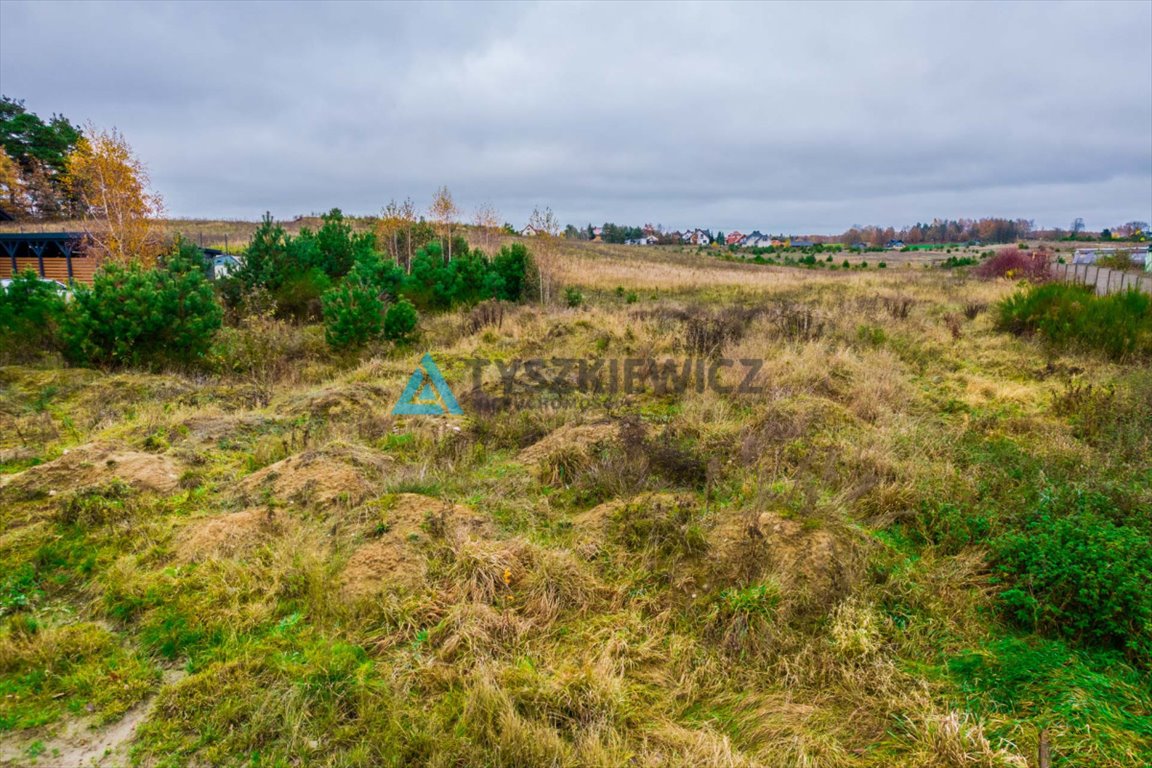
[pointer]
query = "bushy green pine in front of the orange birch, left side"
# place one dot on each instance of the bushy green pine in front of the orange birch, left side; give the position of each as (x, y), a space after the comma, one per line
(133, 316)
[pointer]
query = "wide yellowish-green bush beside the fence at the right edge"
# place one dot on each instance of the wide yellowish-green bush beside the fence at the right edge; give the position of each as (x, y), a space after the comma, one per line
(1067, 315)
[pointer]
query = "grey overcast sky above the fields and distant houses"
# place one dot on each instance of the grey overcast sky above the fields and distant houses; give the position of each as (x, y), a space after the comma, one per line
(785, 118)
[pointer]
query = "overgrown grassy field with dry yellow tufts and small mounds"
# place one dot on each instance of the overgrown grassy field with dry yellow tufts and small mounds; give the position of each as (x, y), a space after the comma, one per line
(266, 568)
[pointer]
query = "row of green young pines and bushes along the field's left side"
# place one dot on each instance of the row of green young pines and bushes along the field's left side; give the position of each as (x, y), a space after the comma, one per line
(168, 313)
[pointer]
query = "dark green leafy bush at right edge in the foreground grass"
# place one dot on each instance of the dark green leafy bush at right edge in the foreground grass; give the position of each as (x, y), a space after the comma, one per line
(1082, 576)
